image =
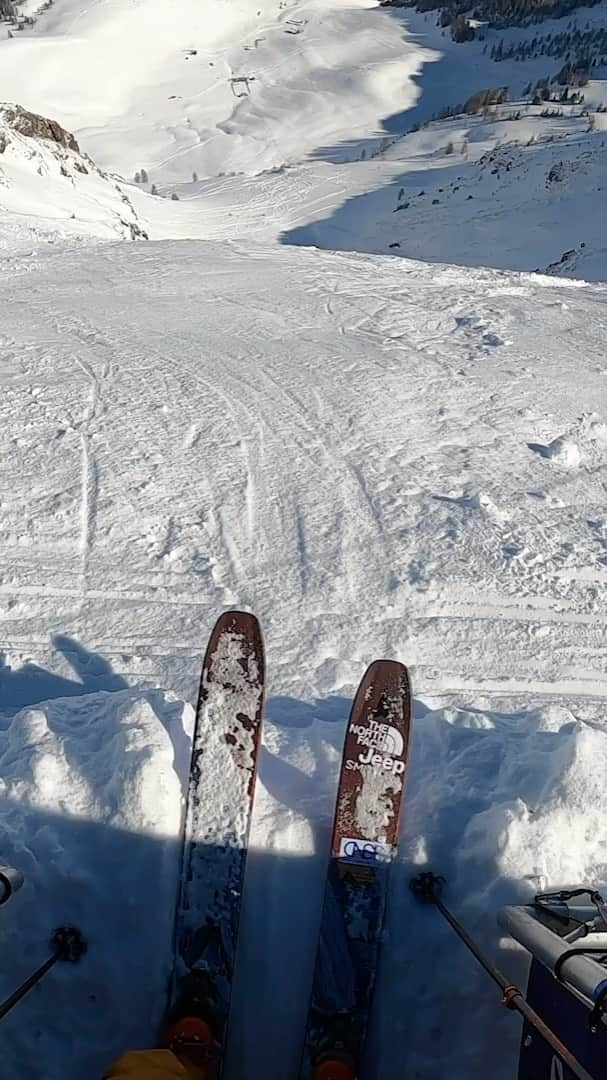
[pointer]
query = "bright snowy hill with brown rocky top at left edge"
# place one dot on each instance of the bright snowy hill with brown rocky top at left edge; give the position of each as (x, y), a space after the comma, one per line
(50, 190)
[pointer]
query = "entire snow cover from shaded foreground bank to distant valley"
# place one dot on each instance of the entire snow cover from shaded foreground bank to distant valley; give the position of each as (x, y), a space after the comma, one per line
(381, 456)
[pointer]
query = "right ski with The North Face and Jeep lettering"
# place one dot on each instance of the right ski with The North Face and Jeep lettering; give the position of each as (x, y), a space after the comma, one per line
(365, 842)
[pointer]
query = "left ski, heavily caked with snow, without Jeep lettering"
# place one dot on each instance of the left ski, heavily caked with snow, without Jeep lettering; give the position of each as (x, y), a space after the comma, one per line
(219, 809)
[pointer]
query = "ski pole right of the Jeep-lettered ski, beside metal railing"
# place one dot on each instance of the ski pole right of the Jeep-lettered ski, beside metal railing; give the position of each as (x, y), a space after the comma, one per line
(427, 887)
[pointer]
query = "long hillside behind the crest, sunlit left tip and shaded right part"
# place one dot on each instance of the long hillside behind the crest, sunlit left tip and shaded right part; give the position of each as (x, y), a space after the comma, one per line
(517, 194)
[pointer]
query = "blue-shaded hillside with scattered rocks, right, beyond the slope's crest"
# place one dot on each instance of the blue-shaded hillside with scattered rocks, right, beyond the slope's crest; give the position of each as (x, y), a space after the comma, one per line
(517, 194)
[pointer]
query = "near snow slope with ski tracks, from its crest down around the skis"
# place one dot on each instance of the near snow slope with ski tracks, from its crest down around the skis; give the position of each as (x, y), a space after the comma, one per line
(380, 457)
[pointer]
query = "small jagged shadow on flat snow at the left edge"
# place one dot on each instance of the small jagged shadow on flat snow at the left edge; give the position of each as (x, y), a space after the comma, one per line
(32, 684)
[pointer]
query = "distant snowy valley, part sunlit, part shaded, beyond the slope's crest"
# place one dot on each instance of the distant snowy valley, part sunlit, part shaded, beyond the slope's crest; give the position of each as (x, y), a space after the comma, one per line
(248, 123)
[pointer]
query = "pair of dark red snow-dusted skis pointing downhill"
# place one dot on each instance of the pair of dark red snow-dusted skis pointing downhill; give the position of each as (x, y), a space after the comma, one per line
(219, 811)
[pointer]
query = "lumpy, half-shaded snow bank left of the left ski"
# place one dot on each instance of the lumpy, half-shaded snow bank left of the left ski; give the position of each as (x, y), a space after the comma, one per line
(91, 811)
